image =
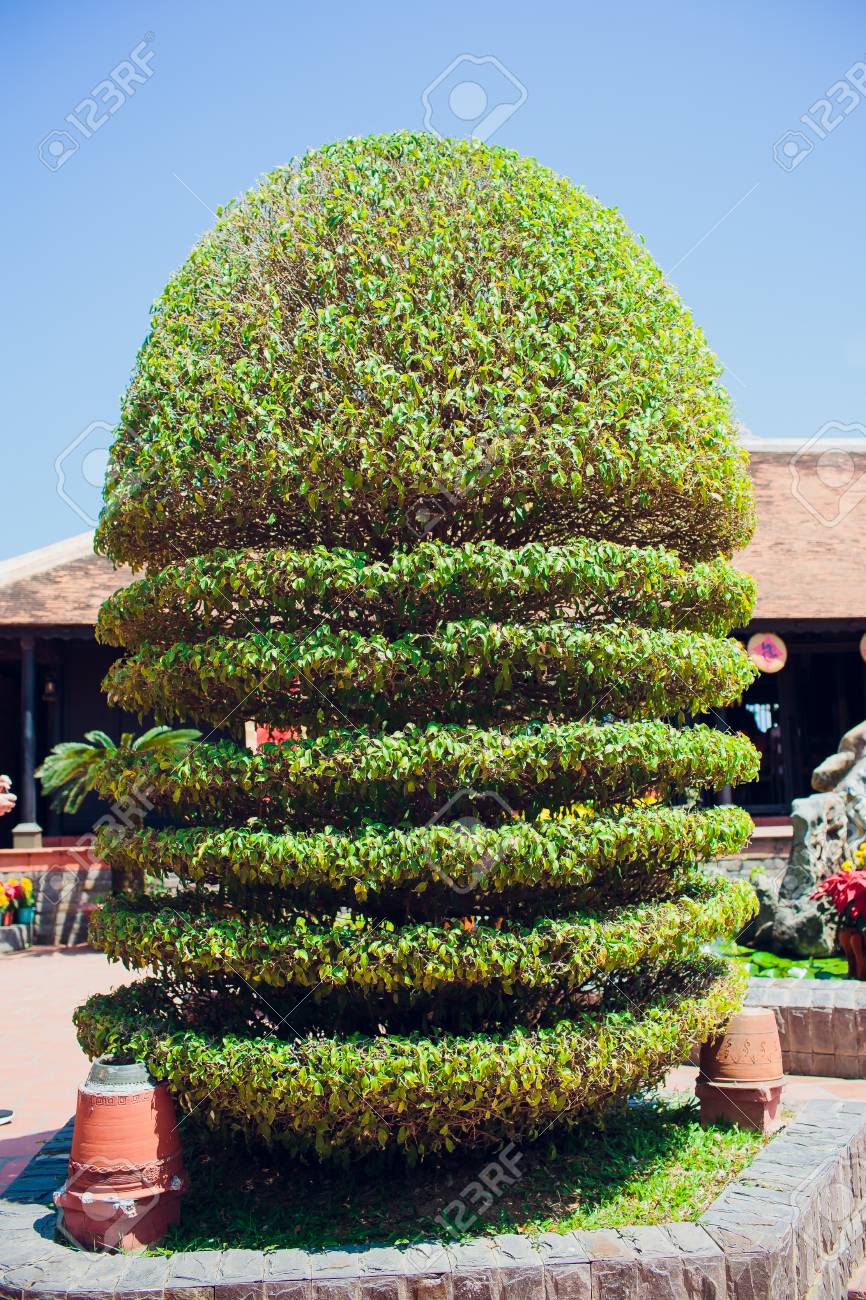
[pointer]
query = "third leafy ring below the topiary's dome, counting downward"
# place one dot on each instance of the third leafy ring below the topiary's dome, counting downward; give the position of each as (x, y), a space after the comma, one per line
(412, 774)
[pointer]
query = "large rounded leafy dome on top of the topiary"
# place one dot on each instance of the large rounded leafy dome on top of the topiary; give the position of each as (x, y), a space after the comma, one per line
(405, 337)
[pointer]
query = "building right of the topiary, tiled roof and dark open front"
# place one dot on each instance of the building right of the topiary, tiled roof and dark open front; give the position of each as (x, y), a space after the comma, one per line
(809, 560)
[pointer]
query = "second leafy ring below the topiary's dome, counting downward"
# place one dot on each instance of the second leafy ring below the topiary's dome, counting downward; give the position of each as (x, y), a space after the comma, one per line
(460, 671)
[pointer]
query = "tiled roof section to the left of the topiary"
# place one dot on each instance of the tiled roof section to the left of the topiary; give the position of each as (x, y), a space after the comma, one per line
(63, 584)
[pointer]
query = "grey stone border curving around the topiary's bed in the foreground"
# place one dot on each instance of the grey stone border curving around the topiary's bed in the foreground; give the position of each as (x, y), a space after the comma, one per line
(790, 1227)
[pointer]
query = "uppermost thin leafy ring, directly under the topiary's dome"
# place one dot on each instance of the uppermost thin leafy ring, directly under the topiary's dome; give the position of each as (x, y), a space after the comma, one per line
(595, 583)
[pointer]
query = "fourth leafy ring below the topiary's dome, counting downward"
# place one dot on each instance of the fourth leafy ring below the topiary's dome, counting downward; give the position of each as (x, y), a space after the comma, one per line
(439, 865)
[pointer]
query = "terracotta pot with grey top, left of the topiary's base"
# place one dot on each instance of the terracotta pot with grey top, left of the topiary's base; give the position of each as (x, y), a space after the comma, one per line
(125, 1168)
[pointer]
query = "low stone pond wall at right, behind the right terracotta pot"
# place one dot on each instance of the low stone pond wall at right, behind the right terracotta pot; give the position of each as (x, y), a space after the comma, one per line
(822, 1024)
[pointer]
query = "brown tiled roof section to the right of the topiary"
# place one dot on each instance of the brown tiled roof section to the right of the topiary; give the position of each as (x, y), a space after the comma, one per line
(809, 551)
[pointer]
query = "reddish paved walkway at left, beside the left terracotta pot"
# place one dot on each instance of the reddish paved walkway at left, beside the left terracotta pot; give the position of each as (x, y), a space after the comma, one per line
(42, 1064)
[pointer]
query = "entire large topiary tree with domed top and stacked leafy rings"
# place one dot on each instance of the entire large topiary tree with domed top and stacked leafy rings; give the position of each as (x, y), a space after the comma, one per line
(430, 465)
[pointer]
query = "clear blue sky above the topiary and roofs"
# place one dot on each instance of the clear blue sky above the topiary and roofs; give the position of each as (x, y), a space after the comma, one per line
(670, 112)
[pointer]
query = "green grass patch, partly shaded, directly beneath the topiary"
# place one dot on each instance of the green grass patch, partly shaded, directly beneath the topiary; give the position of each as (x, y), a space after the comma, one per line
(649, 1163)
